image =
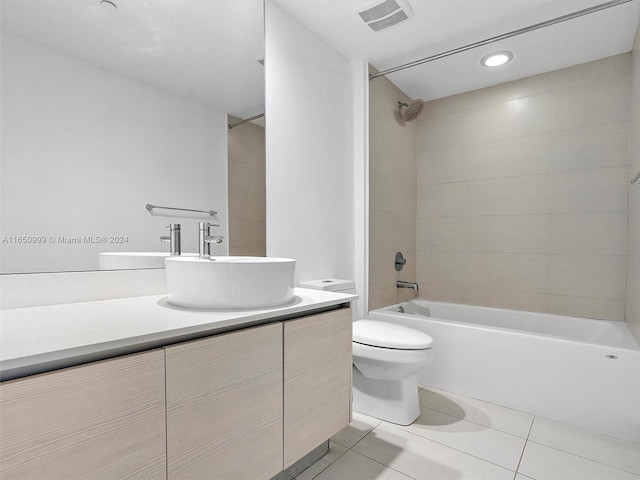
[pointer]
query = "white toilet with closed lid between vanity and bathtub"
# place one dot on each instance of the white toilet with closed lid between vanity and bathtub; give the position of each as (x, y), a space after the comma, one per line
(386, 360)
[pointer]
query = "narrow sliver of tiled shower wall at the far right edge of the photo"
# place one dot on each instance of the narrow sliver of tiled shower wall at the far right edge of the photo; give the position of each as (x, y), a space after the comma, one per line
(633, 252)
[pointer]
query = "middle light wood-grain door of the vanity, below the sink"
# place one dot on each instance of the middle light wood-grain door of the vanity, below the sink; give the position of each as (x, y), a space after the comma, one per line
(224, 406)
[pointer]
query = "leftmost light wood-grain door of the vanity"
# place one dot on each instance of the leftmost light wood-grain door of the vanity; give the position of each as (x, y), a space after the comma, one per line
(103, 420)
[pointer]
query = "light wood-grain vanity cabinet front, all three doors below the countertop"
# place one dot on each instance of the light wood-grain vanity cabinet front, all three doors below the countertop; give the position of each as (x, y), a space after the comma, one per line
(245, 404)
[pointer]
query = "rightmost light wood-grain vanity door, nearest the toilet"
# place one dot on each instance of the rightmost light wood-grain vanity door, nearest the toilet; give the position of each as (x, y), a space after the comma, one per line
(317, 380)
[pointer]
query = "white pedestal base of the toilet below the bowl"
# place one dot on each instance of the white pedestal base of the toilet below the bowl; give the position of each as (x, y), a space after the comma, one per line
(394, 401)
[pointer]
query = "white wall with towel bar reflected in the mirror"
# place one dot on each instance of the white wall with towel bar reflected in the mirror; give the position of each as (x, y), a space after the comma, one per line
(84, 149)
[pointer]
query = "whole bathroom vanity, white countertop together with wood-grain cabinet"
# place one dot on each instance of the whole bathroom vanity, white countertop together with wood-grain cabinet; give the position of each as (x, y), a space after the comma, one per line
(132, 388)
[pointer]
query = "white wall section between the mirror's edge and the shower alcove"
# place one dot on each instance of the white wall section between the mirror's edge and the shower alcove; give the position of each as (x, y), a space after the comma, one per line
(309, 148)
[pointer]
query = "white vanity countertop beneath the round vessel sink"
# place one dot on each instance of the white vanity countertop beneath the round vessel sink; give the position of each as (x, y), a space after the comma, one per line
(43, 338)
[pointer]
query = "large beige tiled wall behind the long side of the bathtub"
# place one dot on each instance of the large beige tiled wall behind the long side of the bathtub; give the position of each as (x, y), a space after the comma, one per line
(522, 193)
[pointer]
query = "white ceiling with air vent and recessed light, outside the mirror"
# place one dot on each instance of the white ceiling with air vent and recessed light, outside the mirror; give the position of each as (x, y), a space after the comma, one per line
(442, 25)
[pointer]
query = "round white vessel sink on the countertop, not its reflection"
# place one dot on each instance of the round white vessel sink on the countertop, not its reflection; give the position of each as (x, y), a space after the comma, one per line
(229, 282)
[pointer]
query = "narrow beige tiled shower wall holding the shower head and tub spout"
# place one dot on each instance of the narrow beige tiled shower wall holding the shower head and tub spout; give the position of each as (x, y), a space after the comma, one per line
(392, 203)
